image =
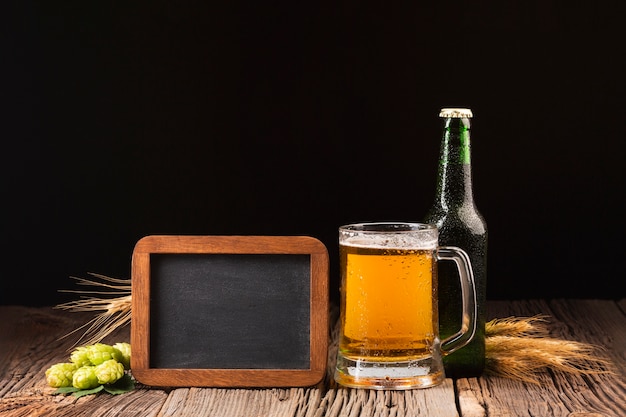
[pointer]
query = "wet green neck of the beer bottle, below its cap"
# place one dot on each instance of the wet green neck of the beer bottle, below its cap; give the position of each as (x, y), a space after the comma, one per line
(454, 187)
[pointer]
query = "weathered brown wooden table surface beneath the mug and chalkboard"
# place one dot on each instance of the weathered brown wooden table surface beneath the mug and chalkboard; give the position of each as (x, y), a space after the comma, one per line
(29, 344)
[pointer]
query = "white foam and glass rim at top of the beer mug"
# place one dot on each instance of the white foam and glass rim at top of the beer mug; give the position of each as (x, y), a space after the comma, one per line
(389, 235)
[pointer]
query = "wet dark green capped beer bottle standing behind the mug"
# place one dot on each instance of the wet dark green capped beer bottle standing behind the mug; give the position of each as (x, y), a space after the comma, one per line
(460, 224)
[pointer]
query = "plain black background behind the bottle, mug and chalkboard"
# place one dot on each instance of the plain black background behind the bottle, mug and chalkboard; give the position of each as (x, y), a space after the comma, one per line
(129, 118)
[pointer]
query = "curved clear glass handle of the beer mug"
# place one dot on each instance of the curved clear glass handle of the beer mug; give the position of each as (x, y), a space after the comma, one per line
(468, 295)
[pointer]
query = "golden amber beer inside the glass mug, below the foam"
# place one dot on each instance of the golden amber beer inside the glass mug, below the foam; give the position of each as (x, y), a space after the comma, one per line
(392, 317)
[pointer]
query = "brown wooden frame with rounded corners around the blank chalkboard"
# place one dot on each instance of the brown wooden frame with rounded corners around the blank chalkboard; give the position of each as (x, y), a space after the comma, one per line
(272, 245)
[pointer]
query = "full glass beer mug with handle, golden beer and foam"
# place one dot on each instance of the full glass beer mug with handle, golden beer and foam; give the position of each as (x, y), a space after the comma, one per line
(389, 321)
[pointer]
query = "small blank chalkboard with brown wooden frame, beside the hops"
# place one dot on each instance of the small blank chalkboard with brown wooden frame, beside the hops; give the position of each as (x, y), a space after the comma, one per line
(229, 311)
